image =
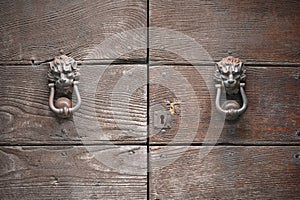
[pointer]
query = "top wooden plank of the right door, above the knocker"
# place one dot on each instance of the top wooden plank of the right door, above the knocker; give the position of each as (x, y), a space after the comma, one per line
(251, 30)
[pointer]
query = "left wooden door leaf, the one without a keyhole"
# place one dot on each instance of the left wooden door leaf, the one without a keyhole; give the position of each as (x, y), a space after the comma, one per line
(45, 157)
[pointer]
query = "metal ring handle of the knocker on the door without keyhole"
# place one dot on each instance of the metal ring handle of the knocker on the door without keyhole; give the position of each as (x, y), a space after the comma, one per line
(65, 111)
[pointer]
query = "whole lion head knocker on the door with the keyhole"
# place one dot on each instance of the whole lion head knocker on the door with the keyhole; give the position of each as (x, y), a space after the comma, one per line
(230, 77)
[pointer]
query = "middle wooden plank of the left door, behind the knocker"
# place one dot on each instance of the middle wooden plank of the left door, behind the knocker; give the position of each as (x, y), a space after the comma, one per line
(111, 110)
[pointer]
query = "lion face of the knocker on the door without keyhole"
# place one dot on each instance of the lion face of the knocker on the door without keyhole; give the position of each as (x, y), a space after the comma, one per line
(63, 72)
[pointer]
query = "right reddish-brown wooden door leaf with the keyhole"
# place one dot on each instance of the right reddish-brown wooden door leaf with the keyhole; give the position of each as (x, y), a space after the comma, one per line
(256, 156)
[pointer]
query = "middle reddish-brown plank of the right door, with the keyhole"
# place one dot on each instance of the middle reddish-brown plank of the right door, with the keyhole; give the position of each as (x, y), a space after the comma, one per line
(273, 114)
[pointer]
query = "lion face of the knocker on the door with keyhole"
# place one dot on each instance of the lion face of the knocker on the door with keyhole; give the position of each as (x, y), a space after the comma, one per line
(230, 72)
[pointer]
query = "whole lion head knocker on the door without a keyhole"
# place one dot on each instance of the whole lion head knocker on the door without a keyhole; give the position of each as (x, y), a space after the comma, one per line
(63, 77)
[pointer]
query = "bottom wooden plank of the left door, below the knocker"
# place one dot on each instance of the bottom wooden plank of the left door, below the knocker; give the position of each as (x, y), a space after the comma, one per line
(68, 172)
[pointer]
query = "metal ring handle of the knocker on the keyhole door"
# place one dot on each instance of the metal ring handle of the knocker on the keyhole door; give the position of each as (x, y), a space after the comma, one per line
(233, 113)
